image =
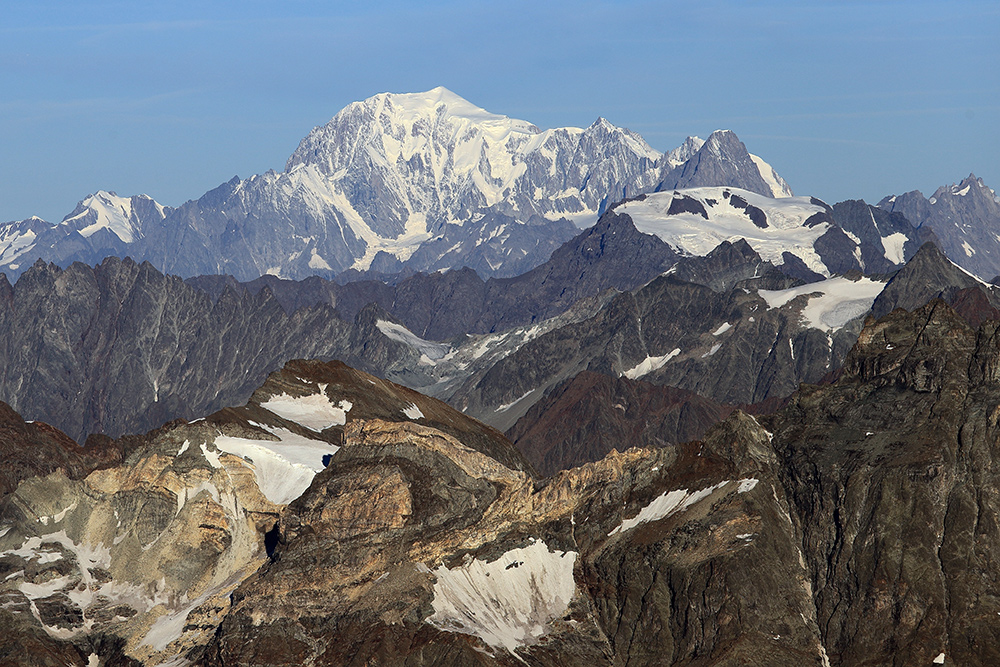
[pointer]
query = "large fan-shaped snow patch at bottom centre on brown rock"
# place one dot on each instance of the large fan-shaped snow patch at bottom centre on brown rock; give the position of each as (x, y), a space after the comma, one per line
(507, 602)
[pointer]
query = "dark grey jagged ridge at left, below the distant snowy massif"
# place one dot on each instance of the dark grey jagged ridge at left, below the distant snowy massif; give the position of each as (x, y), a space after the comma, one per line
(122, 348)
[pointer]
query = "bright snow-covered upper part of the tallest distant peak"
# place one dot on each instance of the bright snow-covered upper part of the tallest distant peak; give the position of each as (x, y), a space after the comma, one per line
(433, 155)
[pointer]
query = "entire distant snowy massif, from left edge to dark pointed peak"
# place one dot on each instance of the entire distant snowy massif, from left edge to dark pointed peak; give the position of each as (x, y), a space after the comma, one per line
(423, 181)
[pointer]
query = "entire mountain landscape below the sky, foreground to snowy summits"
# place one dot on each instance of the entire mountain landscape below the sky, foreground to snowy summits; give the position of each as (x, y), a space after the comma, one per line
(454, 390)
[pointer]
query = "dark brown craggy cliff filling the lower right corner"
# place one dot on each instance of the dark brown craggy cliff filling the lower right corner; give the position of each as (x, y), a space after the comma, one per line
(891, 472)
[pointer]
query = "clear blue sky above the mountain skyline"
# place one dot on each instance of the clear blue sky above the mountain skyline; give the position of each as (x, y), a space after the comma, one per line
(844, 99)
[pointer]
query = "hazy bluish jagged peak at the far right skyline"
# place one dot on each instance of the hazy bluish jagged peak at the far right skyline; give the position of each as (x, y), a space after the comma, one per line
(966, 219)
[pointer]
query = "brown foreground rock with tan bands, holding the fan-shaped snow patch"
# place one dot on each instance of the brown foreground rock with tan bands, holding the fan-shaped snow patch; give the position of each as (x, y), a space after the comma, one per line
(422, 551)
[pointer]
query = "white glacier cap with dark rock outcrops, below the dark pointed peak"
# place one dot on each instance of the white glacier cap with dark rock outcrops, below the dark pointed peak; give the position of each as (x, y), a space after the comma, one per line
(782, 230)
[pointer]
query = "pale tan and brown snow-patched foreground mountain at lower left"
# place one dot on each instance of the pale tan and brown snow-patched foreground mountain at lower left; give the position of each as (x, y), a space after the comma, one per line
(137, 561)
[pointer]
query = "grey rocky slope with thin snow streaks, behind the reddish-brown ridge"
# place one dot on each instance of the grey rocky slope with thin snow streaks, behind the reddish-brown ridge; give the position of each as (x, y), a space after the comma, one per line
(730, 347)
